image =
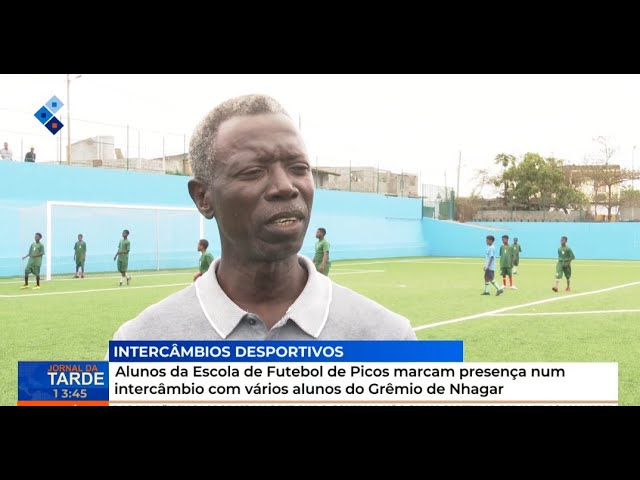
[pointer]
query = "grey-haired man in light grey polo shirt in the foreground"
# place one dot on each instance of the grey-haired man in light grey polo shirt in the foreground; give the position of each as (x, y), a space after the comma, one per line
(253, 175)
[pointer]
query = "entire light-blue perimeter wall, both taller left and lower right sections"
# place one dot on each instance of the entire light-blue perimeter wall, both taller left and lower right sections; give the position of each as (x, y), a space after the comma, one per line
(359, 225)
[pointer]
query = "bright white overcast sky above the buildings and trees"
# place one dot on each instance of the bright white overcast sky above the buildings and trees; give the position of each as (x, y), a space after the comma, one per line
(412, 123)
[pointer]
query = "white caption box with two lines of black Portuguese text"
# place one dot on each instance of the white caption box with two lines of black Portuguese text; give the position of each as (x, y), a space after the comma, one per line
(287, 383)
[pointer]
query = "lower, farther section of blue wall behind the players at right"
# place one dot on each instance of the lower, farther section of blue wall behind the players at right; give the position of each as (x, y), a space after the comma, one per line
(611, 241)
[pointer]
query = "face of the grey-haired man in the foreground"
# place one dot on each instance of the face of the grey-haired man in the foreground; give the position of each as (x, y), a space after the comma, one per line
(262, 189)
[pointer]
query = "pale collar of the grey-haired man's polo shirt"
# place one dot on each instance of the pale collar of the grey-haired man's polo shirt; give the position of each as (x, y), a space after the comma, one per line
(310, 310)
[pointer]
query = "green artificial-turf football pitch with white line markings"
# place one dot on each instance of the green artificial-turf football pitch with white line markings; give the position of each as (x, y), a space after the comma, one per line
(598, 321)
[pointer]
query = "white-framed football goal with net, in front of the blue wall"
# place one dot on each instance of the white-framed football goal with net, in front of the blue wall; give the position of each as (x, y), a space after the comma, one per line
(161, 236)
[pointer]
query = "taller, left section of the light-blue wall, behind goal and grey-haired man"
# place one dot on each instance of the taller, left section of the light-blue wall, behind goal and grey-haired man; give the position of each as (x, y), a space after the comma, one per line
(358, 225)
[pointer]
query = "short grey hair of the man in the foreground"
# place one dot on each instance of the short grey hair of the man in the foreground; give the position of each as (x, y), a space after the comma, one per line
(202, 147)
